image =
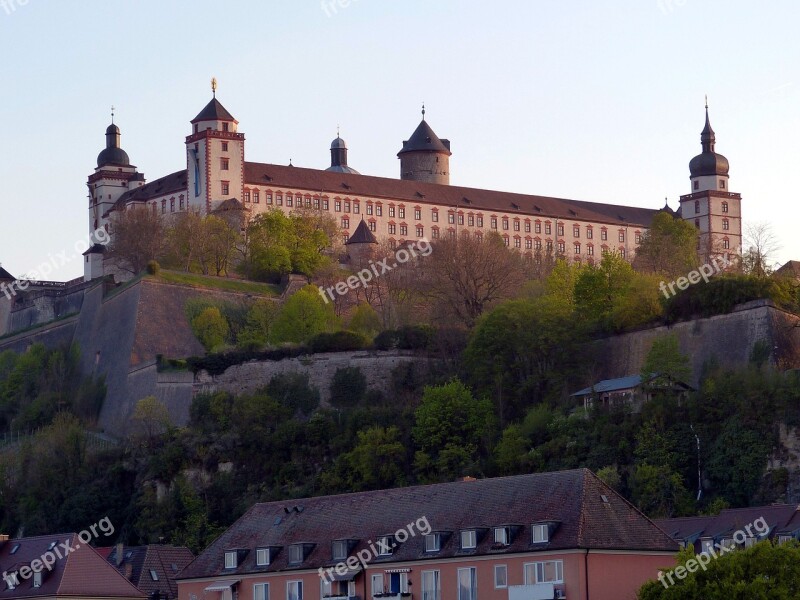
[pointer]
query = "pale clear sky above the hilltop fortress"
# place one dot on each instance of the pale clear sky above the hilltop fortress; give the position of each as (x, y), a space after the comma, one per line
(591, 100)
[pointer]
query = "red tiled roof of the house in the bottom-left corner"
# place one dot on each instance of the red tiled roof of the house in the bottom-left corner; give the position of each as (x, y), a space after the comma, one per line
(81, 572)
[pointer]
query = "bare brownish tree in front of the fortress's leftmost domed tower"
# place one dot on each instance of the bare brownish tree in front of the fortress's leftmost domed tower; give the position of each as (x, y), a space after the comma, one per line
(137, 238)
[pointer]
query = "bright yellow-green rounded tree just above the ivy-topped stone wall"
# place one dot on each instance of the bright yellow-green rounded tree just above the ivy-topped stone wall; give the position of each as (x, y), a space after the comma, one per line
(302, 316)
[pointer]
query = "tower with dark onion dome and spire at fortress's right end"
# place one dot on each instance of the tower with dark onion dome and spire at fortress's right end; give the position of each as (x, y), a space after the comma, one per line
(711, 206)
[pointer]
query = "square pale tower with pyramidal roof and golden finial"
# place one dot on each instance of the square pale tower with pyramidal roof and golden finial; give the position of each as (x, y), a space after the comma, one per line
(214, 157)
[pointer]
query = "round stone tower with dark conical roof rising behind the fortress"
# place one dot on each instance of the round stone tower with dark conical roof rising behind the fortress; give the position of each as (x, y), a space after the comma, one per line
(425, 157)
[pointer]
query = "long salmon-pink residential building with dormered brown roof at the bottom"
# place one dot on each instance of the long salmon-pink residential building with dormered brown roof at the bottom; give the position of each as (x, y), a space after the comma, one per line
(540, 536)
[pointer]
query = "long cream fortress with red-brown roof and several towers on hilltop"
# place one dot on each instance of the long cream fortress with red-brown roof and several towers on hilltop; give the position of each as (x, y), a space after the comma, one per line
(421, 204)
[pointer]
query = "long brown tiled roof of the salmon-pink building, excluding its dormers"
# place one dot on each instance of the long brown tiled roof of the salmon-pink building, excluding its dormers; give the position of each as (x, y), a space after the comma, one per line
(572, 499)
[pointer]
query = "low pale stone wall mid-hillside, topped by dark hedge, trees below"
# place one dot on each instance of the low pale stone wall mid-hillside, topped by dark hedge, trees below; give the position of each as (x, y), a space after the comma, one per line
(377, 367)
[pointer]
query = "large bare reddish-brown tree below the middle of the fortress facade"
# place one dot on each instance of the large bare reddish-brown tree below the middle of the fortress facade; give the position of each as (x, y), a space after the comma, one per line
(467, 275)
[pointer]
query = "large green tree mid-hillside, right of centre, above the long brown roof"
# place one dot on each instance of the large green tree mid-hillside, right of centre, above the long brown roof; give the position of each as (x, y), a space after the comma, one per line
(451, 430)
